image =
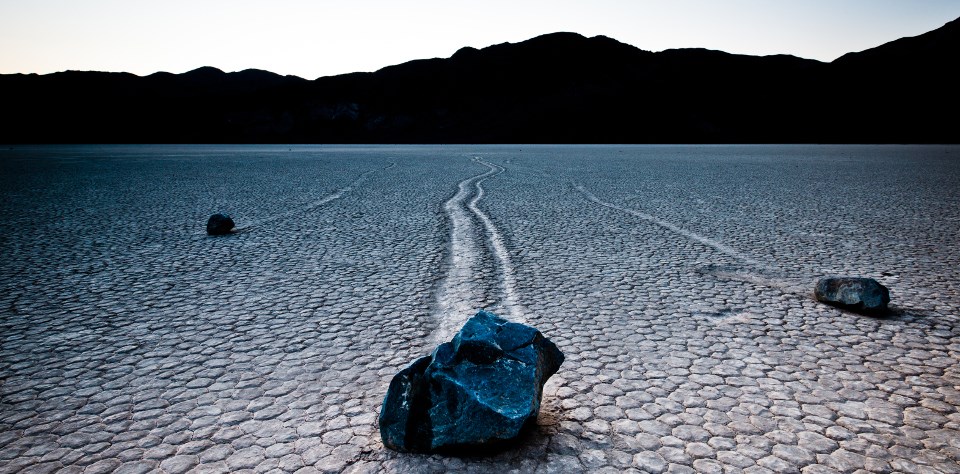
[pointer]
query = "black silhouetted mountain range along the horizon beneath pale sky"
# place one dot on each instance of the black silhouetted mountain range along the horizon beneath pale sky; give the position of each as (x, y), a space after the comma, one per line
(556, 88)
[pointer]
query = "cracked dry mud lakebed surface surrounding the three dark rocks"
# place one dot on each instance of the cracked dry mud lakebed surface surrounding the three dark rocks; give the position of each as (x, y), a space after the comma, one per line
(676, 280)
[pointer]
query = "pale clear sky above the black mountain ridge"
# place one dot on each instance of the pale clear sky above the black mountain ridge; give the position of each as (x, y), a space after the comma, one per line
(314, 38)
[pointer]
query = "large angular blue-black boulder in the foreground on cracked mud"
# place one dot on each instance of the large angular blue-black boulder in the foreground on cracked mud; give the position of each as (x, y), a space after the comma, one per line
(480, 388)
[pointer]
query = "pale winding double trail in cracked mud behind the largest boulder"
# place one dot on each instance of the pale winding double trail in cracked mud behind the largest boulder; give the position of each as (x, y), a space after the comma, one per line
(461, 291)
